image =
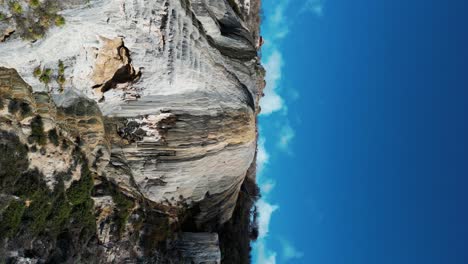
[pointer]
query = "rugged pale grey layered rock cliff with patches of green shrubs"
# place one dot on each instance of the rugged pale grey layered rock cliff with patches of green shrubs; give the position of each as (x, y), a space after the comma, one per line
(128, 130)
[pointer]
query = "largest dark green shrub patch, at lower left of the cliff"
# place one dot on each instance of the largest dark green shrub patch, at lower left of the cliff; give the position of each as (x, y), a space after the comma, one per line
(42, 211)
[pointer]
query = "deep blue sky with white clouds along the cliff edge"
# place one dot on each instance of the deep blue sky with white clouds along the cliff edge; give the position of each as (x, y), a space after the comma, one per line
(363, 136)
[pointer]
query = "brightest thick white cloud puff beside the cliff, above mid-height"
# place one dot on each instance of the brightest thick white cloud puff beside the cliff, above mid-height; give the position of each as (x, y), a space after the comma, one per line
(272, 101)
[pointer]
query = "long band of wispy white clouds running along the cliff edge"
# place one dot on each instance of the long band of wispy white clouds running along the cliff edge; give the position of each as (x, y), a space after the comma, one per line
(275, 29)
